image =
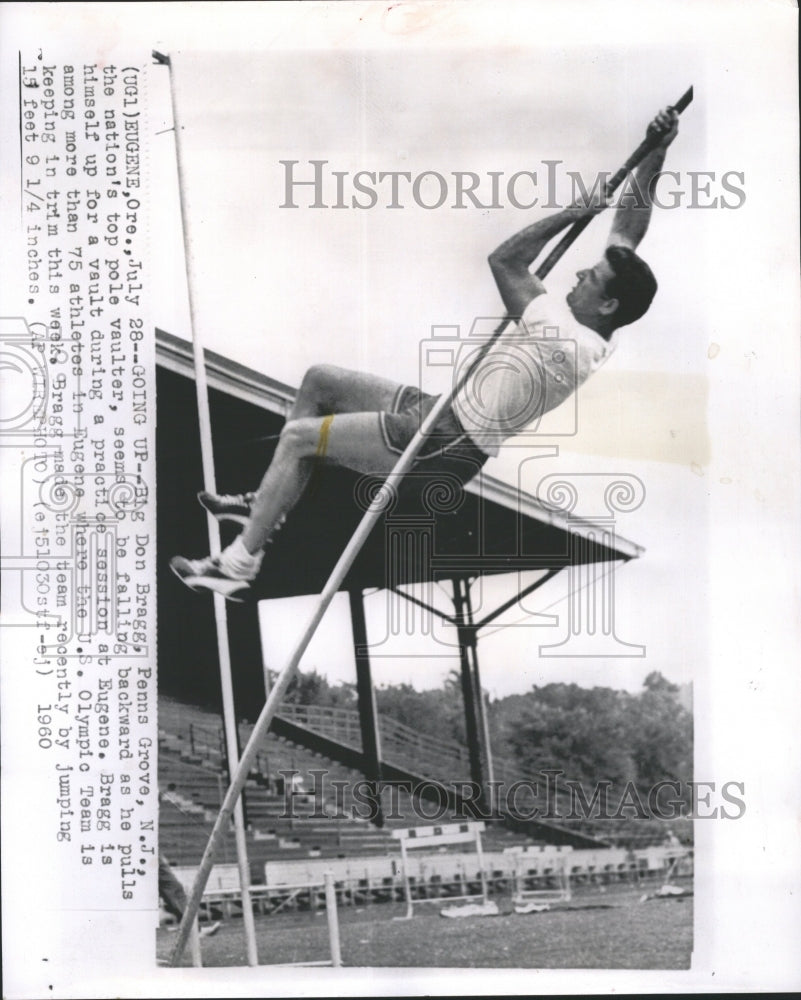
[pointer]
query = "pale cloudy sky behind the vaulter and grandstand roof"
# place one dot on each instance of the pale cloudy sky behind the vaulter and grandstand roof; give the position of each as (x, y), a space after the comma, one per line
(279, 289)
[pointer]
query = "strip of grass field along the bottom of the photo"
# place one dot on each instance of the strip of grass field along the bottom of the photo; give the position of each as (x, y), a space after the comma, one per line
(618, 932)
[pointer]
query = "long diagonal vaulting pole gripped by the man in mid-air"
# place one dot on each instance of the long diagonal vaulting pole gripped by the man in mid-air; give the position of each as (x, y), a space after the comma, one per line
(340, 571)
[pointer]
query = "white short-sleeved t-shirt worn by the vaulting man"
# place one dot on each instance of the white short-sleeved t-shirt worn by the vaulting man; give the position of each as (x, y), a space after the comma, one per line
(532, 368)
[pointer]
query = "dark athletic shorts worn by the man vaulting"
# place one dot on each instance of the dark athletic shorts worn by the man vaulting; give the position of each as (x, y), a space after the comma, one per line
(448, 448)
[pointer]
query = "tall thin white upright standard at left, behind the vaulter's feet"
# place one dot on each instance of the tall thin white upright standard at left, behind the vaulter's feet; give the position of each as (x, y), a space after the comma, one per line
(209, 484)
